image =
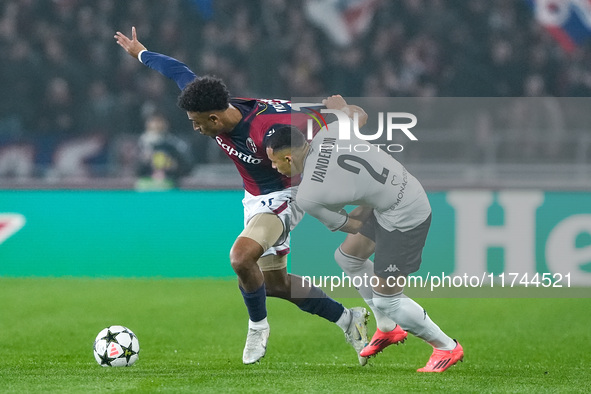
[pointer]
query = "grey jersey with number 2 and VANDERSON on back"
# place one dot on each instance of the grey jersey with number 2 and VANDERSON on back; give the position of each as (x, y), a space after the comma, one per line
(354, 172)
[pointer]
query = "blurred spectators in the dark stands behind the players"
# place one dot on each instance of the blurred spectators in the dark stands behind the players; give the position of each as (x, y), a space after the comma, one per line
(65, 82)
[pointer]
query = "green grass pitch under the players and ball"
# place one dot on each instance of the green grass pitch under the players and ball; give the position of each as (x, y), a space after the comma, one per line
(192, 334)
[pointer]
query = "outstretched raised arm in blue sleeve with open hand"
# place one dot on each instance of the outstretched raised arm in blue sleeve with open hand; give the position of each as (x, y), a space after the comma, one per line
(165, 65)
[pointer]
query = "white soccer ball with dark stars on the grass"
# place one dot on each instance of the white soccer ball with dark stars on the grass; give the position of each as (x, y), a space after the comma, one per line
(116, 346)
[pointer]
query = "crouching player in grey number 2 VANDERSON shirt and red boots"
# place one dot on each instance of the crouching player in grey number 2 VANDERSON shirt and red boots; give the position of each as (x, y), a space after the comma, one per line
(392, 220)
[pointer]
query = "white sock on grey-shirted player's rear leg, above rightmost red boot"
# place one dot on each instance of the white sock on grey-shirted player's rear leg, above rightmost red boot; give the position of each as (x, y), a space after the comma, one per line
(413, 318)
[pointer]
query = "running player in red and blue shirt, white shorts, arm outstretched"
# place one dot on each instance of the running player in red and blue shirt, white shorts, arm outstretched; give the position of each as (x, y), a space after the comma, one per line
(259, 254)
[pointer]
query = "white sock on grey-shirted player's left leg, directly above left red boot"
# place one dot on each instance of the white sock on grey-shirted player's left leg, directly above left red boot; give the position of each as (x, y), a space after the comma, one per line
(354, 267)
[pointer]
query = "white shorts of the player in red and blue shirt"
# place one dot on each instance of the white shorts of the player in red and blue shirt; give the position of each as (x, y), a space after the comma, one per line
(282, 204)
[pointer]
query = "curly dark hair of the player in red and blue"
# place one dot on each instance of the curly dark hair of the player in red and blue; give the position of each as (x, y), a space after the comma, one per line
(204, 94)
